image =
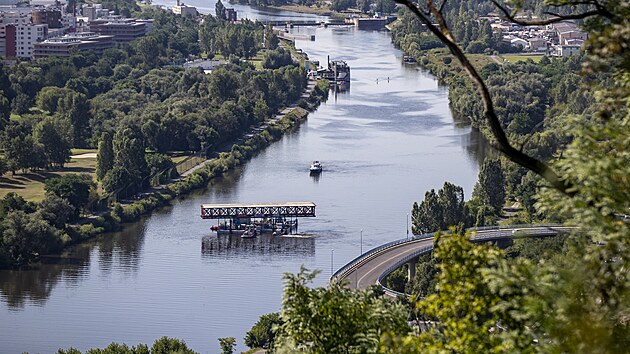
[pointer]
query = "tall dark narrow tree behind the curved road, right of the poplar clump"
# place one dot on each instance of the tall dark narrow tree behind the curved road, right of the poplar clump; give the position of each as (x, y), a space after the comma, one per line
(490, 188)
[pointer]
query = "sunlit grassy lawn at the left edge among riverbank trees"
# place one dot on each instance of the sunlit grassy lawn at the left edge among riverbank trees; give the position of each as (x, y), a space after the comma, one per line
(31, 185)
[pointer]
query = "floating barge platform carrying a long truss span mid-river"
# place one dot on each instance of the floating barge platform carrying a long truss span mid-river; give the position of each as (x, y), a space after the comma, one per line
(275, 218)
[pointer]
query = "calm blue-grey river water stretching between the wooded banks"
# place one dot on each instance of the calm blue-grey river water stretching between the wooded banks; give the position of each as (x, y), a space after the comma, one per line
(383, 143)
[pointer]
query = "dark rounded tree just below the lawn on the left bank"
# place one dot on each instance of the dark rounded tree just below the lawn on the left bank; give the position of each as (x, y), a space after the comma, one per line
(73, 187)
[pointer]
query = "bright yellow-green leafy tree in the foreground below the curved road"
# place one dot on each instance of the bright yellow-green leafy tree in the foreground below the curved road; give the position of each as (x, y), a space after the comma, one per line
(469, 308)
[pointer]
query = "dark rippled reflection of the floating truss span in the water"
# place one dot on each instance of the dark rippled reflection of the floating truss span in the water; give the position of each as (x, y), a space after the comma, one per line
(233, 245)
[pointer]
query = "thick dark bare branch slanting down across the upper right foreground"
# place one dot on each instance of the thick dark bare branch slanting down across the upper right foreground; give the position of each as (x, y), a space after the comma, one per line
(502, 143)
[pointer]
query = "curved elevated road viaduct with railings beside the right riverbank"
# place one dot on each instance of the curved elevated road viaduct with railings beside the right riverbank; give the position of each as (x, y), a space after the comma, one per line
(373, 266)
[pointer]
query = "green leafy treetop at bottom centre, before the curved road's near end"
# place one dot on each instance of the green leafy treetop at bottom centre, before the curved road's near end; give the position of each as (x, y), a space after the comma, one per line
(334, 319)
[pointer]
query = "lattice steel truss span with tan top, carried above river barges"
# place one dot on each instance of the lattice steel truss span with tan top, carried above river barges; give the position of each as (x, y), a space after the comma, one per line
(260, 210)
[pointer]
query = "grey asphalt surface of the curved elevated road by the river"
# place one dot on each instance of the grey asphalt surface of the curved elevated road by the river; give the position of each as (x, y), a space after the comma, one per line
(366, 270)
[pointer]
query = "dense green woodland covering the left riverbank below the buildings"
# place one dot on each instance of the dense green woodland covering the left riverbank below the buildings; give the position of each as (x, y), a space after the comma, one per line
(136, 104)
